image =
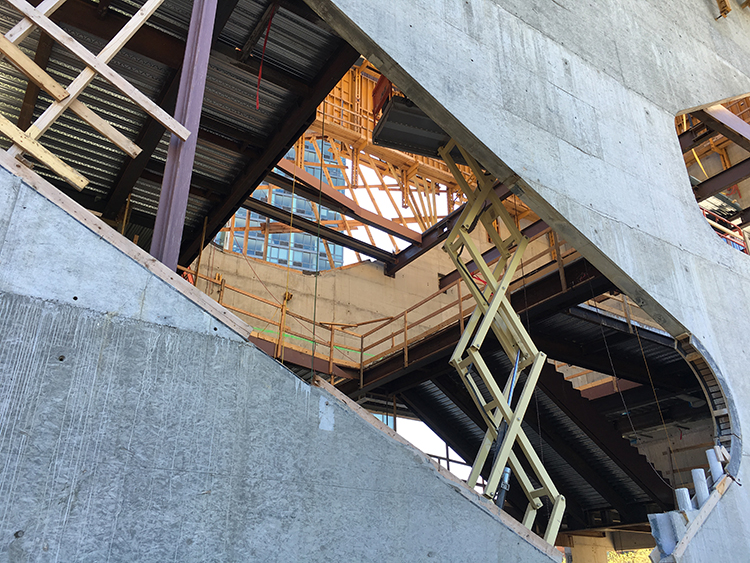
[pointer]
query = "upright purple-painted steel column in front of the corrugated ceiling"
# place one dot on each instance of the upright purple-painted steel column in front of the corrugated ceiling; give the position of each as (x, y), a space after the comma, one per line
(170, 217)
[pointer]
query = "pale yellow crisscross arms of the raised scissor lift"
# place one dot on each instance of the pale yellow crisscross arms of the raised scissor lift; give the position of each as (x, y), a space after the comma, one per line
(494, 312)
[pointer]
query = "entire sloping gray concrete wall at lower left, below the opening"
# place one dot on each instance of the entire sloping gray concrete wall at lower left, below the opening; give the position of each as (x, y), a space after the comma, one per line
(127, 436)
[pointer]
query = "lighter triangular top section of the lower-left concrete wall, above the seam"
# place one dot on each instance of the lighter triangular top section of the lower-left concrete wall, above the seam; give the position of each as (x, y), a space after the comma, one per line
(45, 253)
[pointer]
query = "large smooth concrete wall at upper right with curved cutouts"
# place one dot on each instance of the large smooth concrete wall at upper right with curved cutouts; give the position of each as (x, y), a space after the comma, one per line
(579, 100)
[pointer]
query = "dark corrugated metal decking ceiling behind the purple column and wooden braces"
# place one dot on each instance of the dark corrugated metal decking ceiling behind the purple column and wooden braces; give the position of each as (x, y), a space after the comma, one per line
(234, 134)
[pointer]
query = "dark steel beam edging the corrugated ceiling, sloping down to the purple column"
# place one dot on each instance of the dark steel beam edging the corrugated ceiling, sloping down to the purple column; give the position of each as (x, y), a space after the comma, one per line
(295, 124)
